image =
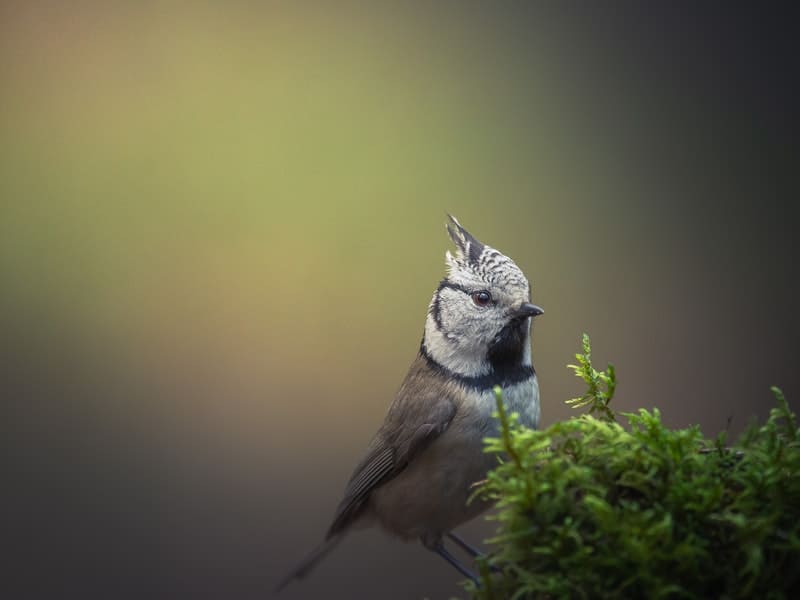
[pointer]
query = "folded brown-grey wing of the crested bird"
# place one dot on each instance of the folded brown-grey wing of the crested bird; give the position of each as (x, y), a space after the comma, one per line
(409, 428)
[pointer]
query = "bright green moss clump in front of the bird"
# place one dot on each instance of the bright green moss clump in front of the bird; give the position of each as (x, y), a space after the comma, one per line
(589, 508)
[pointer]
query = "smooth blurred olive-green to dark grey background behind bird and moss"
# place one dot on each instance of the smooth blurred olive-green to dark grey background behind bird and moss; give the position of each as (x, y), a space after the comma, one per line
(221, 225)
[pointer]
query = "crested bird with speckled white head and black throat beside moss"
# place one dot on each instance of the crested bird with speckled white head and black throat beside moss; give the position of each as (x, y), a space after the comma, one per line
(420, 467)
